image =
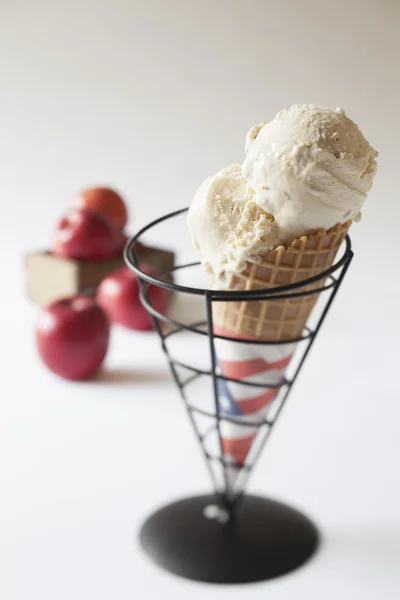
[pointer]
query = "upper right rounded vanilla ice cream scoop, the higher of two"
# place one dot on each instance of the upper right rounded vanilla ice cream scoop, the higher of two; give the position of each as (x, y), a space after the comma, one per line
(310, 167)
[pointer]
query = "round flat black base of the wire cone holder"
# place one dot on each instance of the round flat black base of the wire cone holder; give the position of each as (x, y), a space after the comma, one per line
(264, 540)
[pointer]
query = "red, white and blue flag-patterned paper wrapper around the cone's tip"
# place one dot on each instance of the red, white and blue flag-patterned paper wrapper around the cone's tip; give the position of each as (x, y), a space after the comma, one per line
(238, 400)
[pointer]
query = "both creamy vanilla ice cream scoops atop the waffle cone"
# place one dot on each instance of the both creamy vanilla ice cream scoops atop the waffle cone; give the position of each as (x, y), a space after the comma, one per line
(309, 168)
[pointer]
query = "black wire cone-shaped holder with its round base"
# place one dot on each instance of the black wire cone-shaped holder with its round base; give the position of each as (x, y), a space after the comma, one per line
(230, 537)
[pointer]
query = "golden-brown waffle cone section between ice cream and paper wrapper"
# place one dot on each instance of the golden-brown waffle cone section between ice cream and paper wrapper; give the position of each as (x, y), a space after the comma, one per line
(282, 319)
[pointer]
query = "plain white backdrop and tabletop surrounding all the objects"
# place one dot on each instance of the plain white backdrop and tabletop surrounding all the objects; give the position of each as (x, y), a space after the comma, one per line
(152, 97)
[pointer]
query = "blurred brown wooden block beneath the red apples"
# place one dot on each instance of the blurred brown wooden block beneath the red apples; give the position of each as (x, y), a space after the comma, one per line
(50, 278)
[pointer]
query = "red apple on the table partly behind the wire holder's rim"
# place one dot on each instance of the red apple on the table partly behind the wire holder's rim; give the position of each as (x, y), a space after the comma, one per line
(118, 294)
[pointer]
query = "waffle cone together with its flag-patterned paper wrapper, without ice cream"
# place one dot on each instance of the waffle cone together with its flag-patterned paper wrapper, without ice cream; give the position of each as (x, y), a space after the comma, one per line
(274, 320)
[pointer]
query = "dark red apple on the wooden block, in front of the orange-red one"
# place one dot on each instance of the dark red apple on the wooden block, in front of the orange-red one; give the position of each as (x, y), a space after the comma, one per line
(86, 235)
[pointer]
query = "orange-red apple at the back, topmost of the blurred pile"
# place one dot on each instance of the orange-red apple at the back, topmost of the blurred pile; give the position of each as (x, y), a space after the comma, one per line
(105, 201)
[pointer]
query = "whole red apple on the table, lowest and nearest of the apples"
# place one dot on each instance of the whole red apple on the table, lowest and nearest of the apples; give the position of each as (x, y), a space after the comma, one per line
(72, 337)
